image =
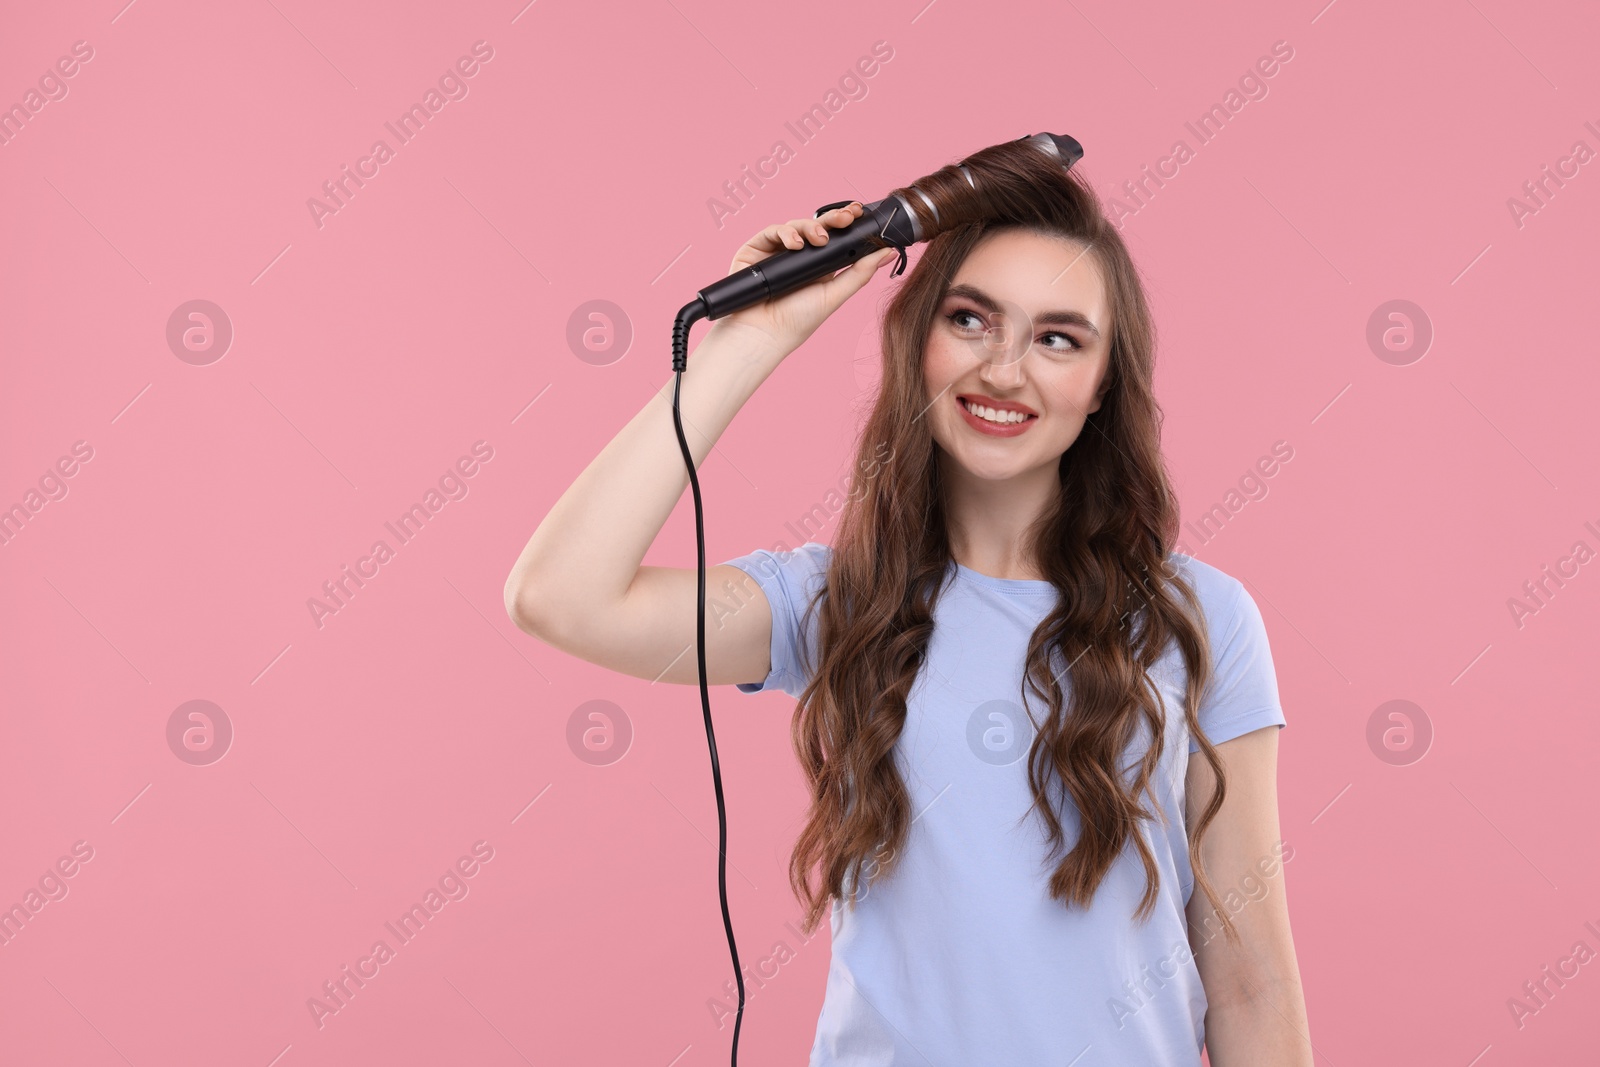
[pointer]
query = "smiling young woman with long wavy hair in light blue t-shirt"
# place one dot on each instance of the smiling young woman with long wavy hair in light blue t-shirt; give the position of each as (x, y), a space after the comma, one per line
(1031, 729)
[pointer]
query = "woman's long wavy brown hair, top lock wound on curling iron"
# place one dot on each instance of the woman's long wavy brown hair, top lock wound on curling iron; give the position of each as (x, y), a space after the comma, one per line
(1103, 545)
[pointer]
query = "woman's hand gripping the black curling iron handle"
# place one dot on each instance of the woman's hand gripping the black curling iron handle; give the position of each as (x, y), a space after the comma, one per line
(778, 327)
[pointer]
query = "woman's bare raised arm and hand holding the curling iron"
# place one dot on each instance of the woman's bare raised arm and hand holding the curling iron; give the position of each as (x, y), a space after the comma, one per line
(578, 583)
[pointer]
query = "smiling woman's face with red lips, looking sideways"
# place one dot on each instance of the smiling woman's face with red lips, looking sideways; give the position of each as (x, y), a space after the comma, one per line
(1023, 329)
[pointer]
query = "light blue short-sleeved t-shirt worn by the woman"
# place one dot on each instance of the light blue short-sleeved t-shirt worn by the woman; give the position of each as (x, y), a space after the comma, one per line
(962, 957)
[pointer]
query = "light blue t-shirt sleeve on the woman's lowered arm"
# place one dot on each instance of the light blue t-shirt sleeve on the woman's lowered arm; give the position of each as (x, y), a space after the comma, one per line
(1244, 690)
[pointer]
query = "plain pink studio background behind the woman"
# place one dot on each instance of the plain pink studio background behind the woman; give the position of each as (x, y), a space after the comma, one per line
(370, 353)
